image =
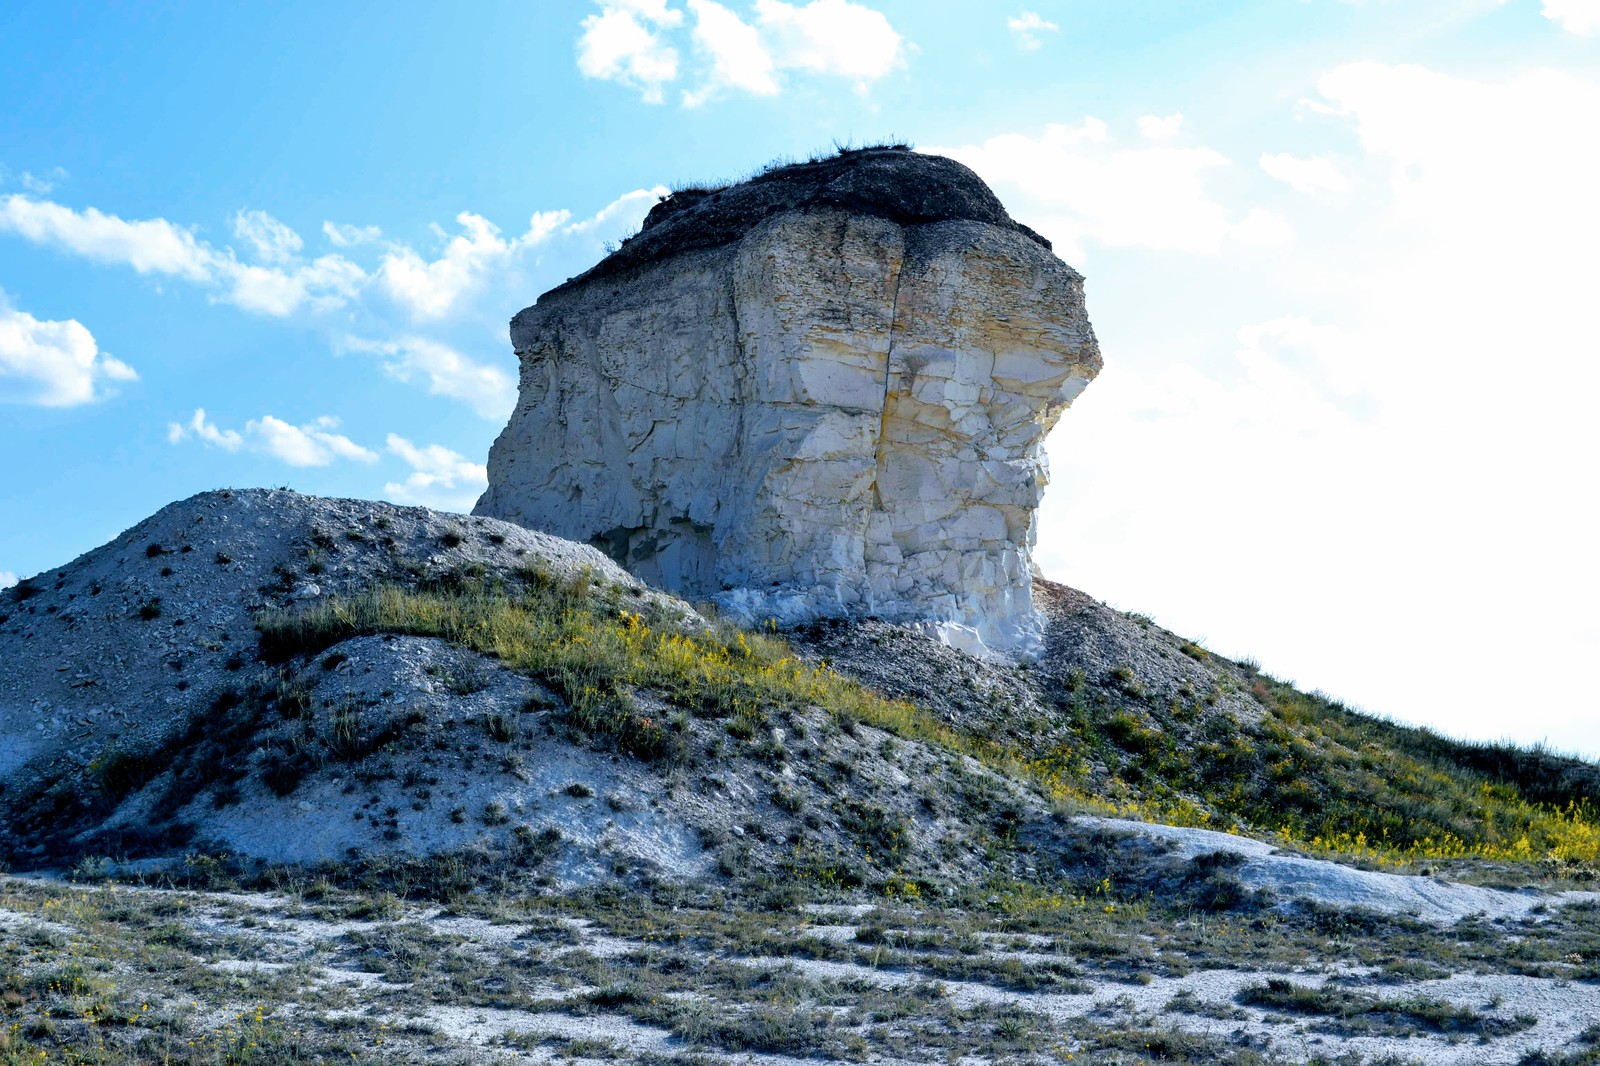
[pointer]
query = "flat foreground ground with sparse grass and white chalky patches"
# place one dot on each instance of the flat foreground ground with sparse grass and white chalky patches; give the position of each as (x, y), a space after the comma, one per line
(310, 974)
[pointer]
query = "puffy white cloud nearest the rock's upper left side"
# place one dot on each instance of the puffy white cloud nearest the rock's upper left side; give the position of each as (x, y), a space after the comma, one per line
(434, 289)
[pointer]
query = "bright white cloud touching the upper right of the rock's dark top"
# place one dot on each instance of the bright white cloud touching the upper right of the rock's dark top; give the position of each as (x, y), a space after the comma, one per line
(1076, 185)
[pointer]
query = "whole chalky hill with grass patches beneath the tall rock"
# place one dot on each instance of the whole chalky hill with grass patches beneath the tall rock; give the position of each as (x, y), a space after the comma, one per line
(327, 683)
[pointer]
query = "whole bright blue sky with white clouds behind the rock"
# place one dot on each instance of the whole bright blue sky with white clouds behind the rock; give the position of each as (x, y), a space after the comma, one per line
(1340, 258)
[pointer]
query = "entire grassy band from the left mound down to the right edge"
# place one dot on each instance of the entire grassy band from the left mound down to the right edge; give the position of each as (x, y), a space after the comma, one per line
(1302, 767)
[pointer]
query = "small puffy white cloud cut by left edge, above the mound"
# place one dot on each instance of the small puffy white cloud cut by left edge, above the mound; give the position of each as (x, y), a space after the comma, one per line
(54, 364)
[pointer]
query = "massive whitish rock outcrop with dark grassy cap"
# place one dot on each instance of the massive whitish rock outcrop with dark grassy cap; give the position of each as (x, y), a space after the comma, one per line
(818, 393)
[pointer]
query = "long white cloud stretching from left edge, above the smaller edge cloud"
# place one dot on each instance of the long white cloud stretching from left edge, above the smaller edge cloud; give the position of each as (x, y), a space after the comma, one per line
(161, 247)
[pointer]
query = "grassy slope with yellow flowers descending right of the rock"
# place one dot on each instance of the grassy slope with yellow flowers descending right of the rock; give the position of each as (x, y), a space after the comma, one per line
(1329, 779)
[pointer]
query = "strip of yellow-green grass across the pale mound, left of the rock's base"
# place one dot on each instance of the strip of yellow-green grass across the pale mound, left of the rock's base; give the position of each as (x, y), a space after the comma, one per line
(596, 647)
